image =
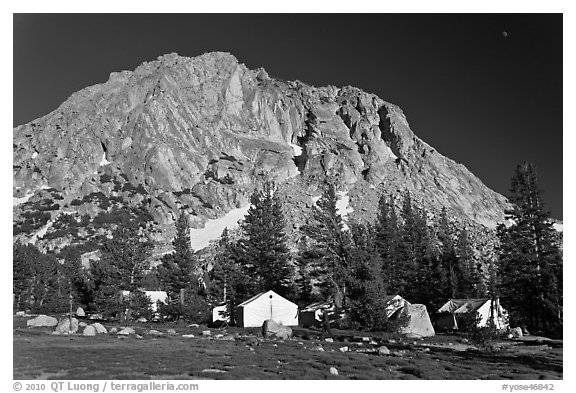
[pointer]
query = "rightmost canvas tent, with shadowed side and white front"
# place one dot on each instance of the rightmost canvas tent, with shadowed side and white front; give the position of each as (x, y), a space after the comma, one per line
(486, 308)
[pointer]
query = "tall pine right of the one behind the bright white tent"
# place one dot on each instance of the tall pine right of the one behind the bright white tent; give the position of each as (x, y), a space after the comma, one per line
(330, 245)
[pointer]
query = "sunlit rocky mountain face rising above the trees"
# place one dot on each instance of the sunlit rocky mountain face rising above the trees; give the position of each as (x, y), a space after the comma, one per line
(198, 134)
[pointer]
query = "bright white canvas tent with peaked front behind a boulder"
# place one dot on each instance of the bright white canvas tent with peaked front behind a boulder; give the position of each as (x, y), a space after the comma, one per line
(266, 305)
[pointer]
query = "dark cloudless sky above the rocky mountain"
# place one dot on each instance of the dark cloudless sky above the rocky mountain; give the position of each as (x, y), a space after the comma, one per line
(482, 97)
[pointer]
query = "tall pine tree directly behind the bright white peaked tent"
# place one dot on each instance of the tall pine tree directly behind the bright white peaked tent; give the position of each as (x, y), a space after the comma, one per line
(263, 252)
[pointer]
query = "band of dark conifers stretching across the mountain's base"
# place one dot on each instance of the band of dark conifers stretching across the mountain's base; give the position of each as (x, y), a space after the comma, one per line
(406, 251)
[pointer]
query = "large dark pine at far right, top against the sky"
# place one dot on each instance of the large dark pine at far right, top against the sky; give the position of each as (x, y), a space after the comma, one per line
(530, 261)
